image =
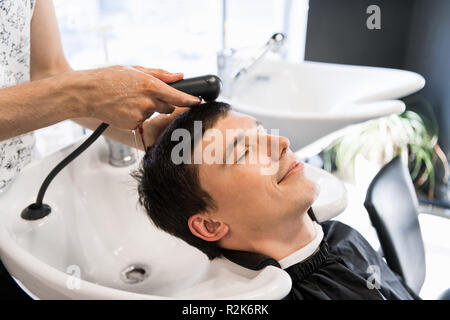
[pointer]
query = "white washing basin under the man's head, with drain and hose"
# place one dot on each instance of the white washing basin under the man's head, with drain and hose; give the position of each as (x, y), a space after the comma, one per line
(97, 230)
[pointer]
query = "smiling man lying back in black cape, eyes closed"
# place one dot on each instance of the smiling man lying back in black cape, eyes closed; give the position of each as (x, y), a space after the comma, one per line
(216, 179)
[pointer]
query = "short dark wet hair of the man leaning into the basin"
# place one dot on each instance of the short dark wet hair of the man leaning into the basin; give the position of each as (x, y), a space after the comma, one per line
(171, 193)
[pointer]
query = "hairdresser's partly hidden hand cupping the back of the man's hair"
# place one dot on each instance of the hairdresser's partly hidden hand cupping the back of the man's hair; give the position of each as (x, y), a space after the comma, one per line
(152, 128)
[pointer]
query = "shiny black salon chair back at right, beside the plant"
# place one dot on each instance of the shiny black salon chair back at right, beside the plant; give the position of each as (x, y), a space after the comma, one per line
(392, 204)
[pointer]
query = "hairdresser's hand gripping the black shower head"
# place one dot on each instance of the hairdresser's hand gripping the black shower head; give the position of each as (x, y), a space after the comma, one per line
(124, 97)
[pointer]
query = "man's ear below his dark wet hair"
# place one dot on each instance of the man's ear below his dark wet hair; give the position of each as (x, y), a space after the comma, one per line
(207, 228)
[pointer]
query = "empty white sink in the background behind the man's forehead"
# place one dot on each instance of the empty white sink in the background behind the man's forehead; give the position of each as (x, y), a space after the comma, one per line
(309, 100)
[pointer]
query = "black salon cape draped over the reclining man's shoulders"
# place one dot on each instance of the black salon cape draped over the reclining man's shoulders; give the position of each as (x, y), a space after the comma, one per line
(339, 270)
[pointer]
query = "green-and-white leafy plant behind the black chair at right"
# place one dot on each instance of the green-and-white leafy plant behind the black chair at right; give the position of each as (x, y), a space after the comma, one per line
(412, 135)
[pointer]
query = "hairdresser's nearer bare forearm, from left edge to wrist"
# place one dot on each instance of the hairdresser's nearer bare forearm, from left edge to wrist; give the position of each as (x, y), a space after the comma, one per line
(33, 105)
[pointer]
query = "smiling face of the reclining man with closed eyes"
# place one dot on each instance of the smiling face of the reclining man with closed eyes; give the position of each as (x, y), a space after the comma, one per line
(258, 188)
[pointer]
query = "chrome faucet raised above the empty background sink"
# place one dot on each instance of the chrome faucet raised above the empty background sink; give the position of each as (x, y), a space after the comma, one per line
(225, 57)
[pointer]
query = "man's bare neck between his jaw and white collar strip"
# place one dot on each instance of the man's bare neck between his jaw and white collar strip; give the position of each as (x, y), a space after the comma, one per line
(287, 239)
